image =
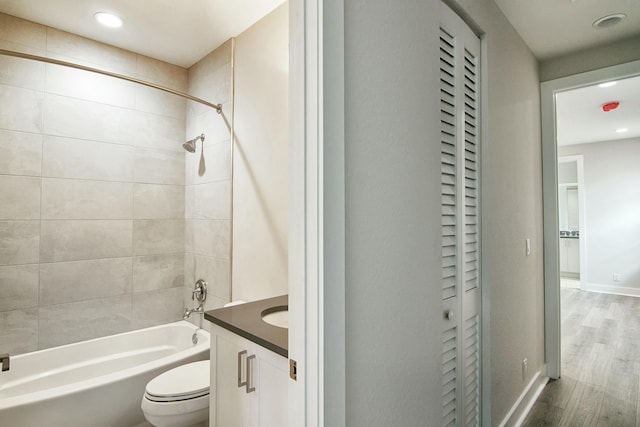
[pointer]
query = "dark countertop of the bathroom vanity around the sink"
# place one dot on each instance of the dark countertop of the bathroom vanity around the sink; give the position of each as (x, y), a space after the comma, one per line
(246, 320)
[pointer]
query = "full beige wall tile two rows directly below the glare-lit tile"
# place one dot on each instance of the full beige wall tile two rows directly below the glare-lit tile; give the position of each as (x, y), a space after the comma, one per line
(81, 159)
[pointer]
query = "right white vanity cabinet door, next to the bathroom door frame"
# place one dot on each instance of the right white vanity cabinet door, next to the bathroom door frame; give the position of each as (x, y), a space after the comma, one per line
(271, 387)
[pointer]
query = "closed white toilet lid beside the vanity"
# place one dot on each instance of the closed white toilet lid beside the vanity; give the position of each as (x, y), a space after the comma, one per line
(184, 382)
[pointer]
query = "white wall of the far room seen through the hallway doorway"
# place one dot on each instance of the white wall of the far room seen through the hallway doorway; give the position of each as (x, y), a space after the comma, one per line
(612, 200)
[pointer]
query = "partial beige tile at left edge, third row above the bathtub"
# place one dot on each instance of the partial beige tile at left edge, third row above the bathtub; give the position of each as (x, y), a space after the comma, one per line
(19, 242)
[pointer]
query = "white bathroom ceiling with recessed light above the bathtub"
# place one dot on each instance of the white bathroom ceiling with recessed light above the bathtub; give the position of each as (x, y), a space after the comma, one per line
(176, 31)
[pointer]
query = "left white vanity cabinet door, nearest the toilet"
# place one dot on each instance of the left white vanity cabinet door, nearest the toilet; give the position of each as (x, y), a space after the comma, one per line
(233, 404)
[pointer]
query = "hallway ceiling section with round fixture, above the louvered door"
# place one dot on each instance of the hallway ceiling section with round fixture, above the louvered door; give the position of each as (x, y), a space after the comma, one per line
(556, 27)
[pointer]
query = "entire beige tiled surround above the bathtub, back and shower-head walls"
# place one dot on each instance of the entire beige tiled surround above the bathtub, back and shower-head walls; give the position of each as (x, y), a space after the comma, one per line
(92, 192)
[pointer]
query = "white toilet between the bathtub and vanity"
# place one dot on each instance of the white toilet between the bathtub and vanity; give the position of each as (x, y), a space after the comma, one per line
(178, 397)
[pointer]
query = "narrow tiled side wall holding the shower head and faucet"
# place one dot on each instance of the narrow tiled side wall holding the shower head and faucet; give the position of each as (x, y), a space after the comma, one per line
(208, 181)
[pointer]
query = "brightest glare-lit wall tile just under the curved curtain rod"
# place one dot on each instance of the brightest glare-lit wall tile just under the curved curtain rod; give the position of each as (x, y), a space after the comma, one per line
(88, 86)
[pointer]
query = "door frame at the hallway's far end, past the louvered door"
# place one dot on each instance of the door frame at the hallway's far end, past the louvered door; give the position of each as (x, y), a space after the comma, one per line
(548, 91)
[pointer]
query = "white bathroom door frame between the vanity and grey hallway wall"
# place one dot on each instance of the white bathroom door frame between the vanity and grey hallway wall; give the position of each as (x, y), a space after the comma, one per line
(316, 213)
